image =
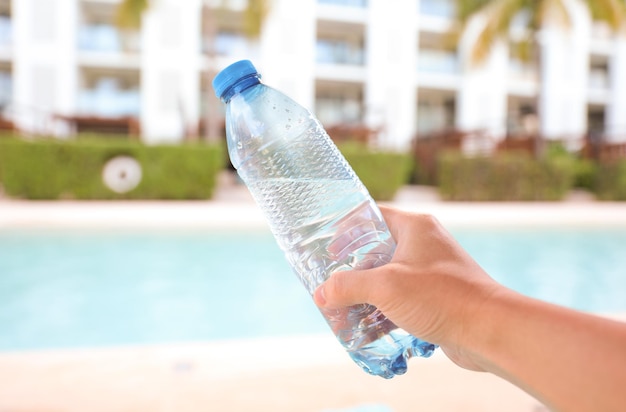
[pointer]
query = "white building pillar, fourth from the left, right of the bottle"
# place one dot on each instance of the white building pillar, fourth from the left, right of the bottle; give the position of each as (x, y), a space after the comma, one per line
(391, 58)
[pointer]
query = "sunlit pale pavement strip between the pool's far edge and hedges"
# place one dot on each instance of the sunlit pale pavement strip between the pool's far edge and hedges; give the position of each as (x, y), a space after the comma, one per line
(233, 207)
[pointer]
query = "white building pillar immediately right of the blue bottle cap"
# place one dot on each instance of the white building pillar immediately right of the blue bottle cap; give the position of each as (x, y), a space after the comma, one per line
(287, 49)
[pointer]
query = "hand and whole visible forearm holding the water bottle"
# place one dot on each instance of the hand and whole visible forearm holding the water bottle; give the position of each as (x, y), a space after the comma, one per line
(434, 290)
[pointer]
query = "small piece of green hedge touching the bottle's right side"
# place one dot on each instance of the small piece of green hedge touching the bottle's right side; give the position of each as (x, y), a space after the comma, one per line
(382, 172)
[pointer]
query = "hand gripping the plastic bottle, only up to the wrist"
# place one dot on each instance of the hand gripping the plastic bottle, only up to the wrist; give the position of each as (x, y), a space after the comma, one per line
(432, 288)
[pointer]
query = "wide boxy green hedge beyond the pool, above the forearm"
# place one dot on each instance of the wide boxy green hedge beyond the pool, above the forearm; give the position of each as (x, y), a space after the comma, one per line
(505, 177)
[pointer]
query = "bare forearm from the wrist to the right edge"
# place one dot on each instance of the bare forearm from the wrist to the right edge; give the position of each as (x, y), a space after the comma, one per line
(569, 360)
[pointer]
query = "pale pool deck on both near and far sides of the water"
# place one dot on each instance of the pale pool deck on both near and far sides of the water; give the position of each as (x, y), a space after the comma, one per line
(307, 373)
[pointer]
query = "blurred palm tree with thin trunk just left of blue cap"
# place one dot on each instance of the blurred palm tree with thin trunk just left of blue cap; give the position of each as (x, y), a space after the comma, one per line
(129, 14)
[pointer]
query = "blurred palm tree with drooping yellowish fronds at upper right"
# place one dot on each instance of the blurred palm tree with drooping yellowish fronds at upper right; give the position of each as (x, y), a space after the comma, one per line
(500, 15)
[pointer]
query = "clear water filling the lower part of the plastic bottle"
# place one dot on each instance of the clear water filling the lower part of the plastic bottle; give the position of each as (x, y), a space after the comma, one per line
(326, 225)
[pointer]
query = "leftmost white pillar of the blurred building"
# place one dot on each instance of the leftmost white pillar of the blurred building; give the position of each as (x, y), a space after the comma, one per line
(44, 64)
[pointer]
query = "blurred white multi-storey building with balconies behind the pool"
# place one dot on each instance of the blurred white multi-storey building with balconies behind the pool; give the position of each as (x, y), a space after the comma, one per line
(383, 63)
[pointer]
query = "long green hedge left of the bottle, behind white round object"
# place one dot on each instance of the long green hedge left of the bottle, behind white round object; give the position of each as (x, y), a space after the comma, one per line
(56, 169)
